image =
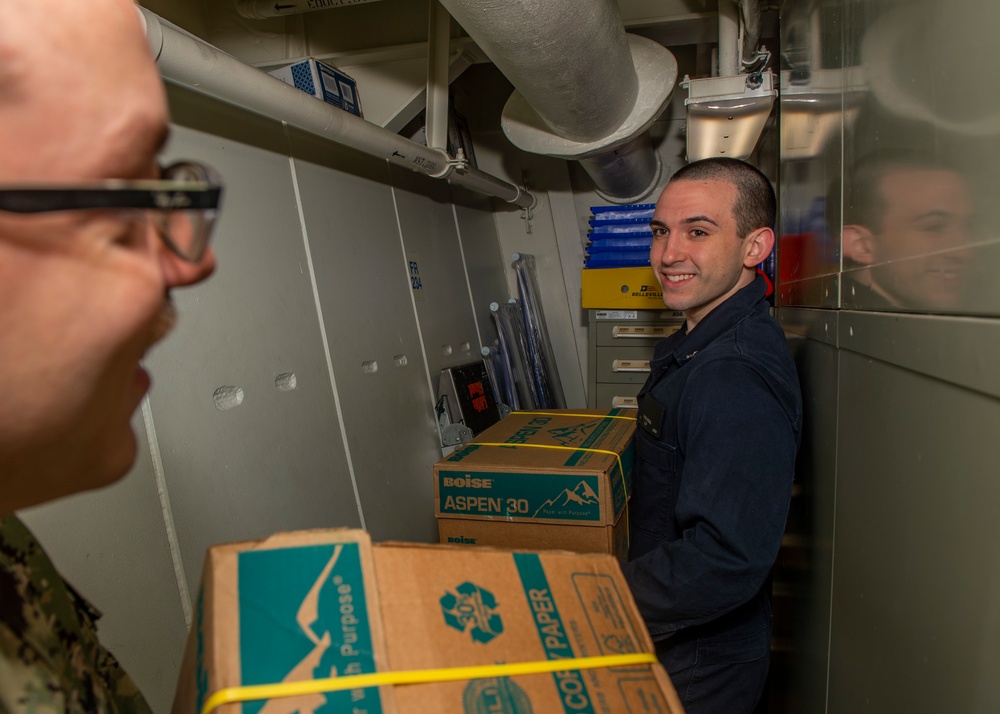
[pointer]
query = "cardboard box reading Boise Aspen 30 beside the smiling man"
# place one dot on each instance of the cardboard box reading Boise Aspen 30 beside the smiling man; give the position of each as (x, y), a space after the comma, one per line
(547, 479)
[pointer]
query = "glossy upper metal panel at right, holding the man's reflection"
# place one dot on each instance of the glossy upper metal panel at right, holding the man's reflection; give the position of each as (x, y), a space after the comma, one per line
(891, 154)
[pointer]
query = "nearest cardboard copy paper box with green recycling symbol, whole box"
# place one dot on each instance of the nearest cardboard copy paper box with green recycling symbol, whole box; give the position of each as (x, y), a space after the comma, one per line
(296, 605)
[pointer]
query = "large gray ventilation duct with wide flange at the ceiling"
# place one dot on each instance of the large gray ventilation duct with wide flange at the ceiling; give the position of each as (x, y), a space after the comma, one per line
(584, 89)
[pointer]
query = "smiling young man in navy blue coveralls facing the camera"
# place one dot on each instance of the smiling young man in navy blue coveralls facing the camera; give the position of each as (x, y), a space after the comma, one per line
(719, 423)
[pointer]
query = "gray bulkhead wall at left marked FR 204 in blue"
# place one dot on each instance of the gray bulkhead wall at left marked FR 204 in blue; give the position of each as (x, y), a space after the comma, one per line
(313, 290)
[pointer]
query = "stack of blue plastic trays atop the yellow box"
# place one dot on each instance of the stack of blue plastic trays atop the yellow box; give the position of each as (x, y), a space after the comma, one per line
(619, 236)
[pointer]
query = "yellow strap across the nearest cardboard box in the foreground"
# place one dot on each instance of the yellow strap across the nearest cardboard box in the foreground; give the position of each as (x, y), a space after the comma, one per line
(232, 695)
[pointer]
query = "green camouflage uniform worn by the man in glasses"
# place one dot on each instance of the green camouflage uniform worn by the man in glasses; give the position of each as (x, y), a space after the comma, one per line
(50, 659)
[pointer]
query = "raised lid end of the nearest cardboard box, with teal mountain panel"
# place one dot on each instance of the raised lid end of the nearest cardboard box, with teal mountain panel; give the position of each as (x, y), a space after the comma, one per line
(282, 609)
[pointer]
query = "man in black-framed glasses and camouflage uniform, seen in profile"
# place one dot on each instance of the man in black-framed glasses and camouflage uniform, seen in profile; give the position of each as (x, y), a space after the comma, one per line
(93, 237)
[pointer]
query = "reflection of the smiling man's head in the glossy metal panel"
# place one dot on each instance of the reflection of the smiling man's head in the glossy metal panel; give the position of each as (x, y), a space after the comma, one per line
(907, 229)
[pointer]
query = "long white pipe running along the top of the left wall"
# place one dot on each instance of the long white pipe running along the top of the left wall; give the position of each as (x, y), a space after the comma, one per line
(189, 61)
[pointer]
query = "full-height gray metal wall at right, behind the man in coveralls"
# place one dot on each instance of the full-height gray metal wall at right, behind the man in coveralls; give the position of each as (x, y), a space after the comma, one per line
(898, 521)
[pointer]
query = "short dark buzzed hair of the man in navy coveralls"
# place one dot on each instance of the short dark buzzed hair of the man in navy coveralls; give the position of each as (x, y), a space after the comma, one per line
(755, 205)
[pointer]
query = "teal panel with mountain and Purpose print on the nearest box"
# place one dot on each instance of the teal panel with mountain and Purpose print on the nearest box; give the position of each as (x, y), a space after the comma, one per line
(303, 615)
